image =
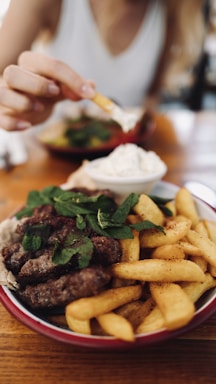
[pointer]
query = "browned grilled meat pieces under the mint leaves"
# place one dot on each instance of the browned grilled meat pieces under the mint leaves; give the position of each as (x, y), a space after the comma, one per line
(44, 284)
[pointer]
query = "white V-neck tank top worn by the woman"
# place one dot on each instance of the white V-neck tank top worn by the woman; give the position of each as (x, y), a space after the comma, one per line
(125, 77)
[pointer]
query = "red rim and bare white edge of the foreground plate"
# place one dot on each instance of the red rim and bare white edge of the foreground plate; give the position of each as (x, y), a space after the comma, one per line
(205, 308)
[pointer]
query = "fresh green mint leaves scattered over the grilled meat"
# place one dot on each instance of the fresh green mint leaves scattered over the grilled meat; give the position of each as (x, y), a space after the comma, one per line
(99, 212)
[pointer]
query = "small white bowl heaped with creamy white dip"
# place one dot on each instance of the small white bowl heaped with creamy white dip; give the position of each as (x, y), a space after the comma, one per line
(128, 168)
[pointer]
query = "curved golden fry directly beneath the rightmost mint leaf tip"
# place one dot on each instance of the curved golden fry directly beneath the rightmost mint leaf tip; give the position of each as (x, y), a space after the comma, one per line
(176, 231)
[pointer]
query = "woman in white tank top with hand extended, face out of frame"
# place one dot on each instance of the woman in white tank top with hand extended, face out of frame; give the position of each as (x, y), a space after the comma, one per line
(131, 49)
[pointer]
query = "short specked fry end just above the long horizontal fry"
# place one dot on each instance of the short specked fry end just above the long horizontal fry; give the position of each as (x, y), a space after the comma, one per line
(168, 251)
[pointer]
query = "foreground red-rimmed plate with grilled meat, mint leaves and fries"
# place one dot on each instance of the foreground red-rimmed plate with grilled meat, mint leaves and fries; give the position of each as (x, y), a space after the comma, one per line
(79, 268)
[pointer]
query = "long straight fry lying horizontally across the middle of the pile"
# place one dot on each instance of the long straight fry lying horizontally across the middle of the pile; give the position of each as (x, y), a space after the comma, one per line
(159, 270)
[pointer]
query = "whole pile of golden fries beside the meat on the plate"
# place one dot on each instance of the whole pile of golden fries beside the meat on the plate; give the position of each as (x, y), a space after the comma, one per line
(160, 277)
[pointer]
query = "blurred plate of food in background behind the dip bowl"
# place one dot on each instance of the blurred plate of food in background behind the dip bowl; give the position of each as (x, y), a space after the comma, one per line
(89, 133)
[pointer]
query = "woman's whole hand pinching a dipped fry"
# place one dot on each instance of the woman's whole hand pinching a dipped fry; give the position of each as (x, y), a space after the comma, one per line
(29, 90)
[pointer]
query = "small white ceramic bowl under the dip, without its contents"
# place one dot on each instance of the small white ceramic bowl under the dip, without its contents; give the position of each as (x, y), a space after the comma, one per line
(124, 185)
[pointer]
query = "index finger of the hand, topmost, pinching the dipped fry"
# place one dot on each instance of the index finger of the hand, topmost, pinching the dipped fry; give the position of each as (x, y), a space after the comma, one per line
(75, 86)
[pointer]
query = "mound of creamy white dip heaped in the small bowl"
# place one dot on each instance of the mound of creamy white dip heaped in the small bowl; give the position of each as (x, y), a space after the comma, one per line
(130, 160)
